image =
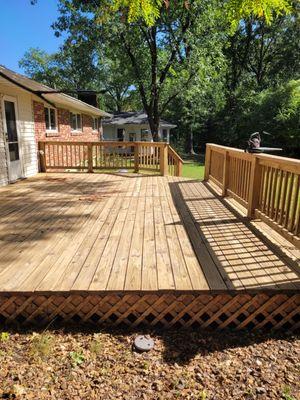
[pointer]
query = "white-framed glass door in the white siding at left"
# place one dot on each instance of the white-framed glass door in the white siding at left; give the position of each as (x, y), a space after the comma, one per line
(12, 138)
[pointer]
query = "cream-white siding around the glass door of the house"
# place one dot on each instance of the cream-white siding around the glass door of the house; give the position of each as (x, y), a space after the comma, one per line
(28, 150)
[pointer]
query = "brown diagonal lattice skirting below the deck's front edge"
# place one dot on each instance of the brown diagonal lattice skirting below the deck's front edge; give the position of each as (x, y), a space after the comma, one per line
(216, 311)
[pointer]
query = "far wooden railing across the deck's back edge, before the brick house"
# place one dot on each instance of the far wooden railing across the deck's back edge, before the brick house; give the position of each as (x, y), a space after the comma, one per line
(106, 155)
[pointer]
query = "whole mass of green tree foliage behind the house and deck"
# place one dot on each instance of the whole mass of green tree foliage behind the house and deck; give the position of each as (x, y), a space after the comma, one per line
(183, 61)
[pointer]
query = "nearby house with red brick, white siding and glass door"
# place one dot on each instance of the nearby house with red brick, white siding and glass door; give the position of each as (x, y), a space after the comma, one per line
(29, 112)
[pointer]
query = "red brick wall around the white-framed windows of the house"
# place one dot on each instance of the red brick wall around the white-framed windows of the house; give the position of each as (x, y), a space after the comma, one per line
(63, 126)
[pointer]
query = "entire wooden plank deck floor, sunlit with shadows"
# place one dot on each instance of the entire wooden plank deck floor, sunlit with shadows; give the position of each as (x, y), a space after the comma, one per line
(107, 232)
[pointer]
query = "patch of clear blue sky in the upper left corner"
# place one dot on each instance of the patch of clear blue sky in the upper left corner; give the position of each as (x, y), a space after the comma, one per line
(22, 26)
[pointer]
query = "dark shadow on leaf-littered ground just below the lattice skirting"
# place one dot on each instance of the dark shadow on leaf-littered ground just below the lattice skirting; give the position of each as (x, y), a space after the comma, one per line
(178, 346)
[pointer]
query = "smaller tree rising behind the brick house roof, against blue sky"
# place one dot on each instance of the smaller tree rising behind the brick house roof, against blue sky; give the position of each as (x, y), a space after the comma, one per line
(68, 70)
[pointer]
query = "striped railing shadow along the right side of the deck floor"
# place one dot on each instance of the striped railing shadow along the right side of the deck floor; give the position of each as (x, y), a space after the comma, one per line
(241, 254)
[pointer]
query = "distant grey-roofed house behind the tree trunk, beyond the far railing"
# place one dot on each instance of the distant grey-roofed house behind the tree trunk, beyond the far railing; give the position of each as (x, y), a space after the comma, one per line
(133, 126)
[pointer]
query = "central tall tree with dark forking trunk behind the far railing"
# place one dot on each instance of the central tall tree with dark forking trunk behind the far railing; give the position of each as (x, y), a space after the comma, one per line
(163, 59)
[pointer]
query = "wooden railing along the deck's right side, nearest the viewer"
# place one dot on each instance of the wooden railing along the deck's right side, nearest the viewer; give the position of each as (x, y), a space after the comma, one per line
(268, 186)
